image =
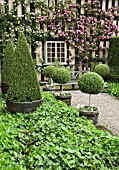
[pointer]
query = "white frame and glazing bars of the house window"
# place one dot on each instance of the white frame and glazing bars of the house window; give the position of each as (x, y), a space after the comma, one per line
(65, 52)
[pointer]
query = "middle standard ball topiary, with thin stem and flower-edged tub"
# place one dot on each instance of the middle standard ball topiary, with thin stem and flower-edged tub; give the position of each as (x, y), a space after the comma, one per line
(62, 76)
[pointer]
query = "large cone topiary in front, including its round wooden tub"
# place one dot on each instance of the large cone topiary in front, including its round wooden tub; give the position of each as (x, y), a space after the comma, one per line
(24, 87)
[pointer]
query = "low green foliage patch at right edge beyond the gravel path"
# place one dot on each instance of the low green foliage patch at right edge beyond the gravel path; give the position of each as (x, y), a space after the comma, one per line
(113, 89)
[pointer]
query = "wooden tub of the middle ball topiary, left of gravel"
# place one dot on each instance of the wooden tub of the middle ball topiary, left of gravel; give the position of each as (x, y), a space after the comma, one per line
(66, 99)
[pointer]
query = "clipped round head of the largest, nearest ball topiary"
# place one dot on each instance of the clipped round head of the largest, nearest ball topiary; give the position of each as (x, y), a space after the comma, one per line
(91, 83)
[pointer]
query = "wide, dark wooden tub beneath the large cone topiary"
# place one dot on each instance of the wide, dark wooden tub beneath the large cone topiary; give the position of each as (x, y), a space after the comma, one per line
(23, 106)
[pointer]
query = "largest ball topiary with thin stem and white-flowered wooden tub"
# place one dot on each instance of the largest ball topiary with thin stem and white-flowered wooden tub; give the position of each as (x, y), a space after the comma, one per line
(90, 83)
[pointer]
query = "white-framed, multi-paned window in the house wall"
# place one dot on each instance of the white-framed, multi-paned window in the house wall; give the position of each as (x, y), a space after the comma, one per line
(55, 49)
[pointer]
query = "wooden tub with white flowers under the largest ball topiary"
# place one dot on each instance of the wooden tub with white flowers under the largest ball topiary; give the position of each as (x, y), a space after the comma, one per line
(91, 115)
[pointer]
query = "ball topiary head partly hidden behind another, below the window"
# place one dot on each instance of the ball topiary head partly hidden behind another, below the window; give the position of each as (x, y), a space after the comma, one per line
(48, 71)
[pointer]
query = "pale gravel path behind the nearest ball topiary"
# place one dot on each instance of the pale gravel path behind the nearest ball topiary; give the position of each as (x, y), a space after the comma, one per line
(108, 106)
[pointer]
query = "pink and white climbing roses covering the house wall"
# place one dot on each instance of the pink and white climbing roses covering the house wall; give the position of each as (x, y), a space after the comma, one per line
(95, 21)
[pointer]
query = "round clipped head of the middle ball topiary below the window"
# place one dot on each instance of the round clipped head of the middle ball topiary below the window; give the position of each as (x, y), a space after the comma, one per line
(61, 75)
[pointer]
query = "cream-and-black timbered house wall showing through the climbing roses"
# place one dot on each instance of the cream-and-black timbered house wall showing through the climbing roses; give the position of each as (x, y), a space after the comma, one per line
(105, 4)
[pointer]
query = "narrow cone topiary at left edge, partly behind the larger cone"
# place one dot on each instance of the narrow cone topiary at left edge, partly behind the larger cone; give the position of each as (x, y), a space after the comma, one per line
(8, 61)
